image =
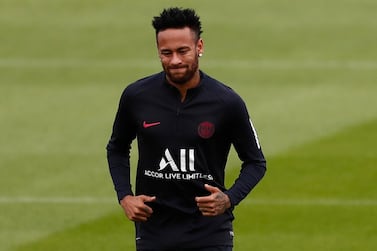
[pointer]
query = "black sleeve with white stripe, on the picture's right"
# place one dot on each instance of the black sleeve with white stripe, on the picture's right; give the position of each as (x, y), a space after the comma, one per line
(246, 143)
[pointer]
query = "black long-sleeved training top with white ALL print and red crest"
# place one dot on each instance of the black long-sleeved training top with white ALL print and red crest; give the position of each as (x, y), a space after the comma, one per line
(181, 147)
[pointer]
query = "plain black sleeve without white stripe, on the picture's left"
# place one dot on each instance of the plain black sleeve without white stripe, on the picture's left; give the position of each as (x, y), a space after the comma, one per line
(119, 146)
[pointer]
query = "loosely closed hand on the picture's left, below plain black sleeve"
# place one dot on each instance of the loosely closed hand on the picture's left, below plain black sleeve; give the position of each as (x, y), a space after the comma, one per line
(135, 207)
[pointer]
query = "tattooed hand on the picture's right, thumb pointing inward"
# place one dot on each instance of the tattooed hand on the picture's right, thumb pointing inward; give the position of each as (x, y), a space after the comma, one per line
(214, 204)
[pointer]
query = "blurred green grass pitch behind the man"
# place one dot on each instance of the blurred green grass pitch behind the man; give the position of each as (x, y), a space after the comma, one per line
(307, 70)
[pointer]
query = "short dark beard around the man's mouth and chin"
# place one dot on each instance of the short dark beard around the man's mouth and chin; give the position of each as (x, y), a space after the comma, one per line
(181, 74)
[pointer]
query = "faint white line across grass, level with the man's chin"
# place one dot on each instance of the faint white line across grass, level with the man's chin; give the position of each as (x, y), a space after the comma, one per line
(210, 63)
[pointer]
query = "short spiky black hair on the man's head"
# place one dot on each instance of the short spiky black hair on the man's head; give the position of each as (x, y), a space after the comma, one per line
(177, 18)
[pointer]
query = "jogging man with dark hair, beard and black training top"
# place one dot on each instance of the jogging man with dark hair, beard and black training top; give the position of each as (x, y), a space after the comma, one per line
(185, 123)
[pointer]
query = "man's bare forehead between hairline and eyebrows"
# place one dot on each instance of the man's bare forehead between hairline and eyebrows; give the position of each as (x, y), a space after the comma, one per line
(175, 38)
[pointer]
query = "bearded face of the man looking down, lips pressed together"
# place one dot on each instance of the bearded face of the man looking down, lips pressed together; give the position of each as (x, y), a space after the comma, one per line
(179, 53)
